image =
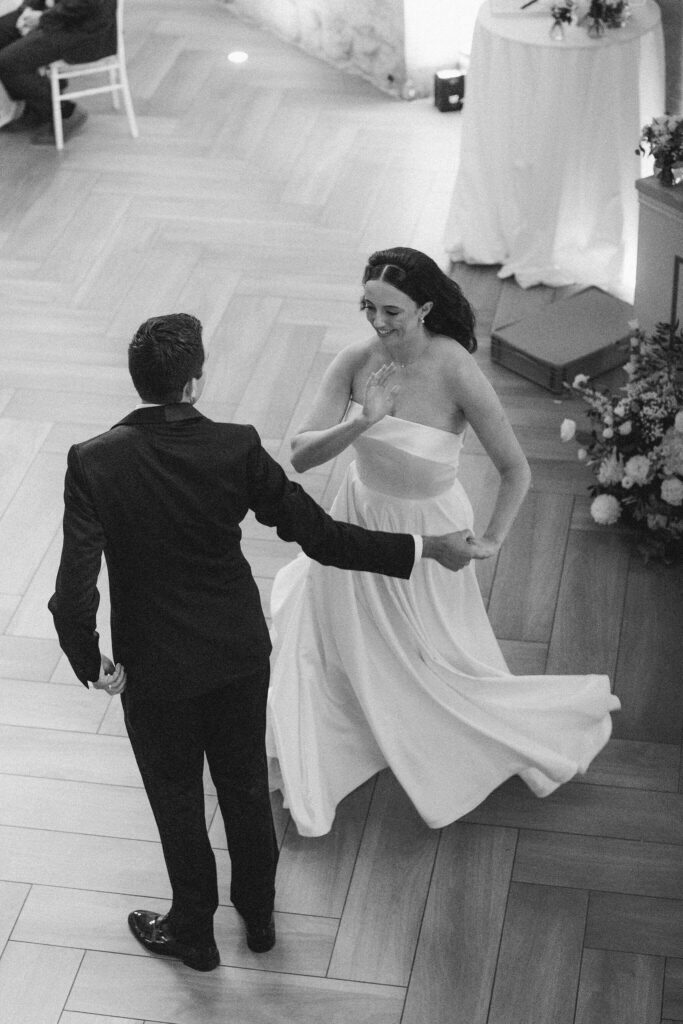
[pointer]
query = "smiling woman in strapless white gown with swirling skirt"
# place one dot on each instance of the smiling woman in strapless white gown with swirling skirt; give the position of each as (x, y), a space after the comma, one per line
(370, 672)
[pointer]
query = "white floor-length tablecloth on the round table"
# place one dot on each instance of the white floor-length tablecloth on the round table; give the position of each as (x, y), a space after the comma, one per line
(546, 185)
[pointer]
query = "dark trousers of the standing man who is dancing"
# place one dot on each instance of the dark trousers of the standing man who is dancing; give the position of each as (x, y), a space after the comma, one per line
(170, 740)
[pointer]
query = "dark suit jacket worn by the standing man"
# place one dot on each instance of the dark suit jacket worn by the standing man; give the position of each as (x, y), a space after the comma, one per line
(162, 495)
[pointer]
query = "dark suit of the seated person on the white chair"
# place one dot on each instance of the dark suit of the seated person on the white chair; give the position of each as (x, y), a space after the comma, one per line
(76, 31)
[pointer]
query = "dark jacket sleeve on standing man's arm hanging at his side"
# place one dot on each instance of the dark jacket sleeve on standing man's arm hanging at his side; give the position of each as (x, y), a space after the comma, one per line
(74, 605)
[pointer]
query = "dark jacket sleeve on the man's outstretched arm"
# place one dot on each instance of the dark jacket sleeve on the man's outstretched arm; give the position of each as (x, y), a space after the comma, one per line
(279, 502)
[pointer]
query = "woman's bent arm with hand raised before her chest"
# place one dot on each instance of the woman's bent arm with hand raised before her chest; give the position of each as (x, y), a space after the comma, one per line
(324, 434)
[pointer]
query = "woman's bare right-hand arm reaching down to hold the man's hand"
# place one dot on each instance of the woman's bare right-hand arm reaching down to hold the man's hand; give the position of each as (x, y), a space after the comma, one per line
(485, 413)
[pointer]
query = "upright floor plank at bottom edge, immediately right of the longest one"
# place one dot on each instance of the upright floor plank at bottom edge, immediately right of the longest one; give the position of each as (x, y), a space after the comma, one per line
(544, 929)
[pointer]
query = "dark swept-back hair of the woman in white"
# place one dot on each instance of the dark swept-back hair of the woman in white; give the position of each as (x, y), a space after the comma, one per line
(423, 281)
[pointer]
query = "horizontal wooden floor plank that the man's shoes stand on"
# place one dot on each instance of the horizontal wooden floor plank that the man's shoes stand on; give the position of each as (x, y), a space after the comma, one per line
(89, 920)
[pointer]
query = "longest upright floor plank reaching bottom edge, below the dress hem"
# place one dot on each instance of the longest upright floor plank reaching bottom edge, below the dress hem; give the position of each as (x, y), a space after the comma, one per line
(455, 964)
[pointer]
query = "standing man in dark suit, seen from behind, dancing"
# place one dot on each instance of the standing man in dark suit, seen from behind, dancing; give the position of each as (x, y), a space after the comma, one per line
(162, 495)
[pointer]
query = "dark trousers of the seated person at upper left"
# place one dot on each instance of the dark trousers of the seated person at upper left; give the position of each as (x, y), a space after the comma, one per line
(22, 57)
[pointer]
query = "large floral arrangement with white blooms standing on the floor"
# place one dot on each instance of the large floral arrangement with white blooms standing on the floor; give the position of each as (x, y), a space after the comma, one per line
(635, 448)
